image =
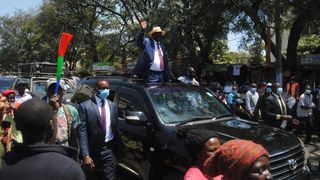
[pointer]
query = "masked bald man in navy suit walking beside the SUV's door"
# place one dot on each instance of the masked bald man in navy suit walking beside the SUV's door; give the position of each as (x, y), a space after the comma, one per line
(98, 133)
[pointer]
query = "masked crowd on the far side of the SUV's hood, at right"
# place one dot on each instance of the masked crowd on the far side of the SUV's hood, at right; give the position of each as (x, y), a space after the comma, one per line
(273, 105)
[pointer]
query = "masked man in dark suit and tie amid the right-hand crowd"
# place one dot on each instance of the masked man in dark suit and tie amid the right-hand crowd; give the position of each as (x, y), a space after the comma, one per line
(274, 109)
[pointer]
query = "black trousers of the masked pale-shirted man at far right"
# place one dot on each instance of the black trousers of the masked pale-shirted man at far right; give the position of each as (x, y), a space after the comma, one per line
(307, 124)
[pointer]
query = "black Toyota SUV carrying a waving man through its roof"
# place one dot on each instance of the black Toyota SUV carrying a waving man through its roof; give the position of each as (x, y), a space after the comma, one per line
(151, 114)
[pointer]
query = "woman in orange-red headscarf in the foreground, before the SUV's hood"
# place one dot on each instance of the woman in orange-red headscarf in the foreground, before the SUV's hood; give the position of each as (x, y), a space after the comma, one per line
(239, 160)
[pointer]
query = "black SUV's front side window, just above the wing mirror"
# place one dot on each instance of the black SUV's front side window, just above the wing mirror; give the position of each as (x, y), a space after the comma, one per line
(130, 99)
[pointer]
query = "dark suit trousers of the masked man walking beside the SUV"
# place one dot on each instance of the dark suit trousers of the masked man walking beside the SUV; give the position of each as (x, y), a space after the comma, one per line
(106, 164)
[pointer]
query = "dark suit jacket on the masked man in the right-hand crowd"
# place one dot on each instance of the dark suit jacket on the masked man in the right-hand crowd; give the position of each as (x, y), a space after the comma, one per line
(270, 109)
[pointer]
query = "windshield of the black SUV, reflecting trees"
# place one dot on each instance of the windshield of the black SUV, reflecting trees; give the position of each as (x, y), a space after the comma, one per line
(182, 104)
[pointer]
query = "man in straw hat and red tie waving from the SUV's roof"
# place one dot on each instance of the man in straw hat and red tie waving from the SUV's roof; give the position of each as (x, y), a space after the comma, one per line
(153, 63)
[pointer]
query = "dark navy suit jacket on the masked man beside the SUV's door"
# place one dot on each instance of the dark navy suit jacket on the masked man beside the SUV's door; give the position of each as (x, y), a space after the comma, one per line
(91, 134)
